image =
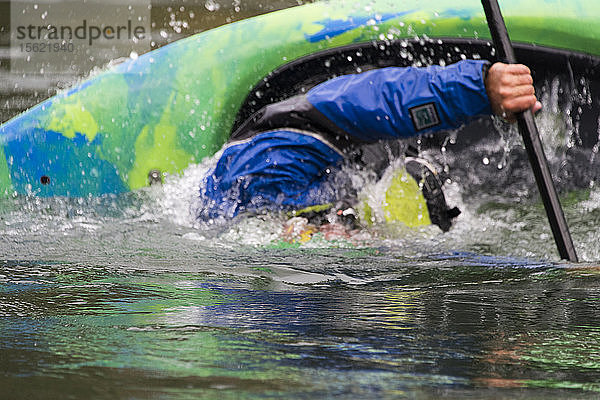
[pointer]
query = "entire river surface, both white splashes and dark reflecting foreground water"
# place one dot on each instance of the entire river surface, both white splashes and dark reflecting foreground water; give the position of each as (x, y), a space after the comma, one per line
(129, 297)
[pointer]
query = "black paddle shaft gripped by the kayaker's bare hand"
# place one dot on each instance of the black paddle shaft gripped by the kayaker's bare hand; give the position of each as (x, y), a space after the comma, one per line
(532, 141)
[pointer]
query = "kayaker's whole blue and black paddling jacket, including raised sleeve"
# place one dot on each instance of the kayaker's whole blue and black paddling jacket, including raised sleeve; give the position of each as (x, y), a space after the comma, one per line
(282, 156)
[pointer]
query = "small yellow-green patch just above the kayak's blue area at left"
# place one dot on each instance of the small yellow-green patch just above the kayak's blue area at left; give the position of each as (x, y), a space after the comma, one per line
(73, 119)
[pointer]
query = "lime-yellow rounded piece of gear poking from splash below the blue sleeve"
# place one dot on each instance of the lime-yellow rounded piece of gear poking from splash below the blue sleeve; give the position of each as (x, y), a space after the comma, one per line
(404, 201)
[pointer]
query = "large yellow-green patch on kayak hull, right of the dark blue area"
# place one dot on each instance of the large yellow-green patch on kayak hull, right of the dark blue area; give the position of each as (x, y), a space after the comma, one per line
(156, 149)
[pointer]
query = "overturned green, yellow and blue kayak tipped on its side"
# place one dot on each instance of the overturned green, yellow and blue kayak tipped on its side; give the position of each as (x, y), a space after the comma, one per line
(156, 114)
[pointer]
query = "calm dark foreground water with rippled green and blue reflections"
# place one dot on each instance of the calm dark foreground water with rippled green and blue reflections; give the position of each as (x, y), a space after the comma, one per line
(460, 327)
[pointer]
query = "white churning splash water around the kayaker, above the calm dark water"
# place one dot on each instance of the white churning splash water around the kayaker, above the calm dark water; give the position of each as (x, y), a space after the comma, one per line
(490, 181)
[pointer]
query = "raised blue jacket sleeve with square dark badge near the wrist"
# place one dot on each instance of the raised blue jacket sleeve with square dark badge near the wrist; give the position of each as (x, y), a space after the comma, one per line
(391, 103)
